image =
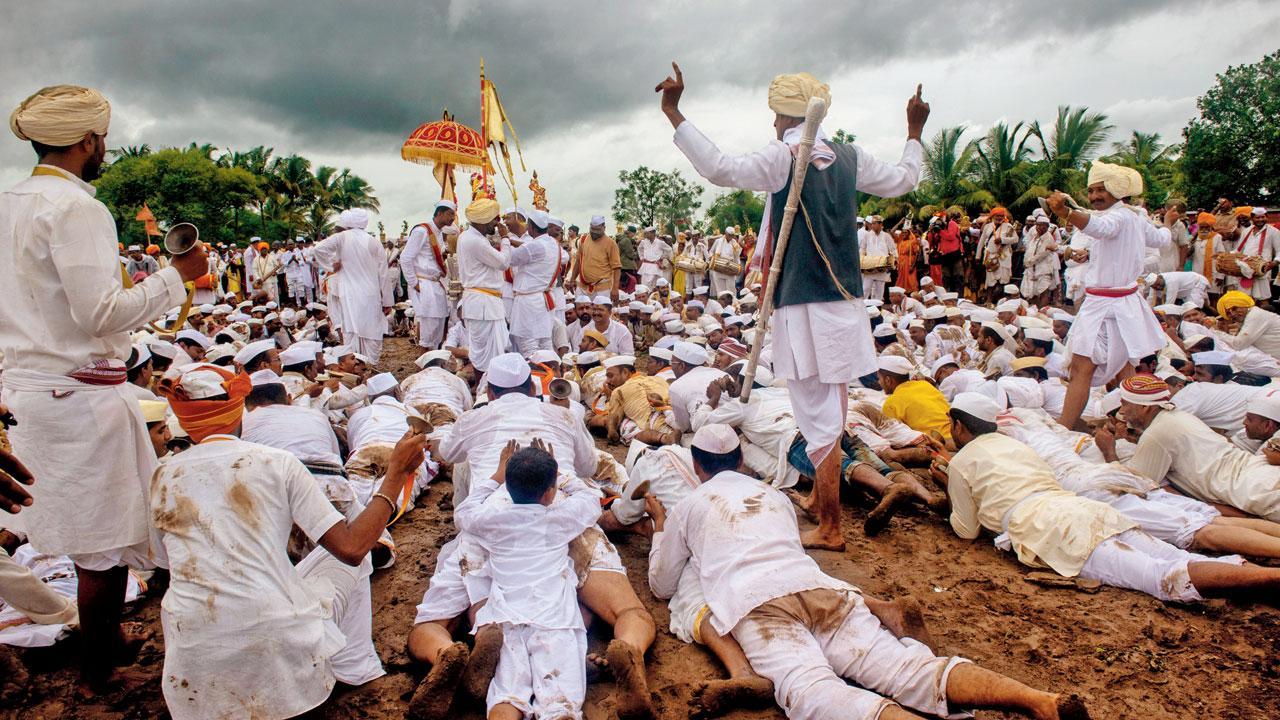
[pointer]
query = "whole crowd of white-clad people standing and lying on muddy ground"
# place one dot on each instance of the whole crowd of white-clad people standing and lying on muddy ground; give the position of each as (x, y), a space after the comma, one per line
(1092, 389)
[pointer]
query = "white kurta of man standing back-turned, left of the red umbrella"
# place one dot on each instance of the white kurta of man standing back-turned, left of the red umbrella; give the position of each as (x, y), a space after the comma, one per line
(364, 288)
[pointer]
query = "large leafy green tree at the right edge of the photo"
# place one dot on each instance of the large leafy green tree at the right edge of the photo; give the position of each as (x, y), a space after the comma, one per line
(1233, 148)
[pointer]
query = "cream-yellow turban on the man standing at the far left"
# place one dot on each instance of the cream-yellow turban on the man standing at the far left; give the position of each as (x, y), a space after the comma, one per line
(61, 116)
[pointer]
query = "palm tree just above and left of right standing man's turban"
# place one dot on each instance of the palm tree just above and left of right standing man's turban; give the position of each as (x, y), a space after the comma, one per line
(1078, 135)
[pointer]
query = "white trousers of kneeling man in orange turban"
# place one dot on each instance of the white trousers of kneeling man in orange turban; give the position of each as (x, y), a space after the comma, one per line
(358, 662)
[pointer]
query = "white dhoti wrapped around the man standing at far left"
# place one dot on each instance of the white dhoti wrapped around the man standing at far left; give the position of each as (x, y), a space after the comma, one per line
(90, 453)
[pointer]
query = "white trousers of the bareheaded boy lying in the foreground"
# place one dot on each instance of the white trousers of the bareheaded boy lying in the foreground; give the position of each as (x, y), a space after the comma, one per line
(541, 672)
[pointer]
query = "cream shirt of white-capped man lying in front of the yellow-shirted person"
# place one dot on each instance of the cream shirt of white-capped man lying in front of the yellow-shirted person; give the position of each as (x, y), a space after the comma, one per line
(1002, 485)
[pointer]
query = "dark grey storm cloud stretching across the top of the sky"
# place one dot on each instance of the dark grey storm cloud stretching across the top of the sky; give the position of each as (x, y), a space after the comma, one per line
(335, 75)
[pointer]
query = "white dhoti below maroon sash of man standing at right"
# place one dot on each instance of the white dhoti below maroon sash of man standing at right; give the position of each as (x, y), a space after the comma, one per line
(1114, 332)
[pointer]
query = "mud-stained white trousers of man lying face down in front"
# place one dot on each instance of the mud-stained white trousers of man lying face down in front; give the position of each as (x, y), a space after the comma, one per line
(811, 642)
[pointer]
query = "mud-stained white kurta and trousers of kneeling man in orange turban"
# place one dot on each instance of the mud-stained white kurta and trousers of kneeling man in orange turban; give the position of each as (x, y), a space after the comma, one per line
(246, 632)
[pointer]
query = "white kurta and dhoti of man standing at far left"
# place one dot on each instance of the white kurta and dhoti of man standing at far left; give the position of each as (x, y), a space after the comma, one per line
(63, 308)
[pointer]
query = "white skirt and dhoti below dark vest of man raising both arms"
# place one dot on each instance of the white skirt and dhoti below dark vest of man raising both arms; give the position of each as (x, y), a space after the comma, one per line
(820, 348)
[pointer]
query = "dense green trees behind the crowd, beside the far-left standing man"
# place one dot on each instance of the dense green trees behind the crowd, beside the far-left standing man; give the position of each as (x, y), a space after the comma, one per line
(230, 197)
